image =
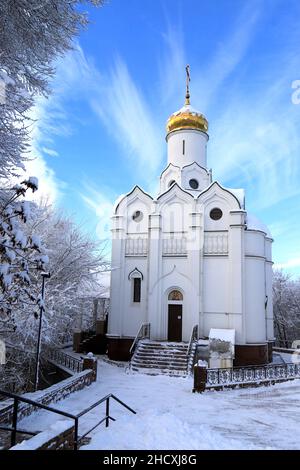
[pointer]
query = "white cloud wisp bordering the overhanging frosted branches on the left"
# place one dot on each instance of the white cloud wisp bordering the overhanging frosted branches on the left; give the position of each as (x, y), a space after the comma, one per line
(73, 78)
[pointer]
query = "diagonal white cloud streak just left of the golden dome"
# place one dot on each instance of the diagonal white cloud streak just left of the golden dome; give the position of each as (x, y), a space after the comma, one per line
(124, 110)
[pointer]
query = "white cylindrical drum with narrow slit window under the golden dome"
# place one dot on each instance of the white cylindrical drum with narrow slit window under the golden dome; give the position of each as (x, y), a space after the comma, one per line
(194, 147)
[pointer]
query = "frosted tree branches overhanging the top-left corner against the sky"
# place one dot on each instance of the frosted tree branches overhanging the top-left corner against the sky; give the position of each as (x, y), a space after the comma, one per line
(33, 33)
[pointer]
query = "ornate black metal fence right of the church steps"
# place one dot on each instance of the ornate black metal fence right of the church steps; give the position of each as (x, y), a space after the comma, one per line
(252, 374)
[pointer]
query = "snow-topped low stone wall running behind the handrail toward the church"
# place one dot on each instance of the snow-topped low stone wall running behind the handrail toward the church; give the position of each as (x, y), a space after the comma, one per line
(52, 394)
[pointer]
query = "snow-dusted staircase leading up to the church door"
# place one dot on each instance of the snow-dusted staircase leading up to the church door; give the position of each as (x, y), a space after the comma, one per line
(154, 357)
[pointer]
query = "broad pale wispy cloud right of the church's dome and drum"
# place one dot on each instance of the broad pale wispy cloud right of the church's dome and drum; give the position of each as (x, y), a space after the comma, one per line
(259, 148)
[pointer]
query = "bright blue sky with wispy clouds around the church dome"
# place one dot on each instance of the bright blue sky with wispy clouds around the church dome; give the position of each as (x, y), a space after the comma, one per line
(102, 130)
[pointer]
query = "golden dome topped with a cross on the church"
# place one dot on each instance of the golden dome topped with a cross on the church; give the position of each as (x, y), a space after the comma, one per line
(187, 117)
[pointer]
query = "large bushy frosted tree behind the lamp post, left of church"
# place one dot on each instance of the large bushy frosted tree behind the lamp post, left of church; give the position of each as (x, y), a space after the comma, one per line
(75, 261)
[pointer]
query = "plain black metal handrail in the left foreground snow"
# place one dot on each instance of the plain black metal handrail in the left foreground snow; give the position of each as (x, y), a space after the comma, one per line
(14, 429)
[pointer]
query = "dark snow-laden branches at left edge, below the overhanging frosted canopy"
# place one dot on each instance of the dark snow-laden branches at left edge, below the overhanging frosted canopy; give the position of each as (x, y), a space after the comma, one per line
(20, 255)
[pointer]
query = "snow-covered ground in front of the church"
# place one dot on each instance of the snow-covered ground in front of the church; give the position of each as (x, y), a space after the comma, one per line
(170, 416)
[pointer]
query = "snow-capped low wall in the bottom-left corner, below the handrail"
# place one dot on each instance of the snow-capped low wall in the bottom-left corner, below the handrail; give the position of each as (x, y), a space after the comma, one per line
(60, 436)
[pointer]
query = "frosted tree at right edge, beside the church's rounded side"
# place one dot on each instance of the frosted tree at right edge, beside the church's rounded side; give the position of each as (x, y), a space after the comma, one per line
(286, 305)
